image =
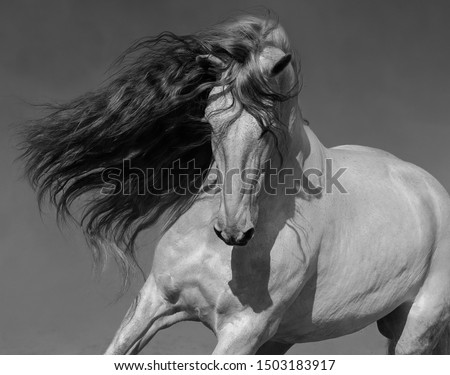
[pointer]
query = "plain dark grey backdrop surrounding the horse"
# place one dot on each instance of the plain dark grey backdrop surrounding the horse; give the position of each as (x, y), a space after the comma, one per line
(376, 73)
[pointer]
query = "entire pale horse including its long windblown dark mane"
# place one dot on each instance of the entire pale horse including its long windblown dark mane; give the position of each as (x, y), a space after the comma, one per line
(261, 239)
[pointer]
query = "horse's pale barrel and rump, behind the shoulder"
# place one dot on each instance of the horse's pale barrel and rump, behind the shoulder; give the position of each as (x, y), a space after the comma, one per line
(395, 207)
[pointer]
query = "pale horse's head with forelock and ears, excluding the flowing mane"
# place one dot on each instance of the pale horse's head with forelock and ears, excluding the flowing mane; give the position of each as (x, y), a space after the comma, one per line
(243, 142)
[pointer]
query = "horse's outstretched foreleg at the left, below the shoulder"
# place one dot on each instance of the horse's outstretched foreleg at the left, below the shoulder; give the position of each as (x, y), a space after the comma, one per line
(149, 313)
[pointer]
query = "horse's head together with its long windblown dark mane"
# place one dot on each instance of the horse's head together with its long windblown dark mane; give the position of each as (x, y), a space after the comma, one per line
(118, 142)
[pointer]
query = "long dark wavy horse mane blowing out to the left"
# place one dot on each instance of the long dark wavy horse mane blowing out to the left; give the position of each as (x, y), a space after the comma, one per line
(149, 113)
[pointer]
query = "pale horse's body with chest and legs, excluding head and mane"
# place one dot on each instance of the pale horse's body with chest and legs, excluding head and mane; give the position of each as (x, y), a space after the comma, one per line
(300, 279)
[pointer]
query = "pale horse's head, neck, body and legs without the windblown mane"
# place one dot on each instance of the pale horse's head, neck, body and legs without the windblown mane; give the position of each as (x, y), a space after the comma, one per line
(368, 241)
